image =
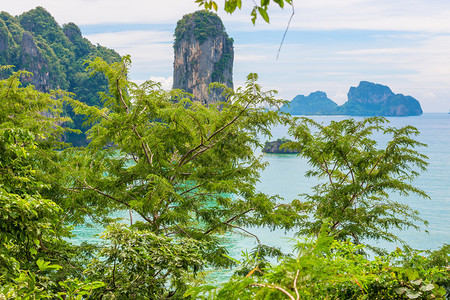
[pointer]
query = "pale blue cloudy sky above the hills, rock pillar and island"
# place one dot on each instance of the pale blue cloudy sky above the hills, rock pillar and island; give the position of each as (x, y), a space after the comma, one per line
(331, 45)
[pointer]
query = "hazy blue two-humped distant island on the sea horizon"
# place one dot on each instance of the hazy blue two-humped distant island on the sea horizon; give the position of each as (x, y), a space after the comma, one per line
(367, 99)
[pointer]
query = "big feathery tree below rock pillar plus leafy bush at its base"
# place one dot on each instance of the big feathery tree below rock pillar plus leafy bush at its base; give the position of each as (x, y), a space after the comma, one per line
(186, 170)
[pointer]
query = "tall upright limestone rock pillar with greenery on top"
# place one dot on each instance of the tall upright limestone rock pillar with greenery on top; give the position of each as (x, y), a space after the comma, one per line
(203, 54)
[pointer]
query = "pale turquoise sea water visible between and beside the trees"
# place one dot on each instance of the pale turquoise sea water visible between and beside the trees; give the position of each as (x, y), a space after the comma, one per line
(284, 176)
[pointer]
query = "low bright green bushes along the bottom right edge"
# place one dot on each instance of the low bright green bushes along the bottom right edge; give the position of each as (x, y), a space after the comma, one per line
(326, 268)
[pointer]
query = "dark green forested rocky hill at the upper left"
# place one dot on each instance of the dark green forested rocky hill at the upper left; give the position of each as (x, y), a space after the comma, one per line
(56, 55)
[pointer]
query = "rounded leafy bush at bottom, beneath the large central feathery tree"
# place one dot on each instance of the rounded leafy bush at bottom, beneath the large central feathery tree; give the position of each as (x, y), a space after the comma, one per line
(139, 264)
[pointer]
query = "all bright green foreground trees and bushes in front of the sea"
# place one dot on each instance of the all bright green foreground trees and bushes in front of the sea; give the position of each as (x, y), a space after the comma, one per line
(189, 173)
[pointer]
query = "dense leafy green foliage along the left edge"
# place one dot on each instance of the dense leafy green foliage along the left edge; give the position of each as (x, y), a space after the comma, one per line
(32, 231)
